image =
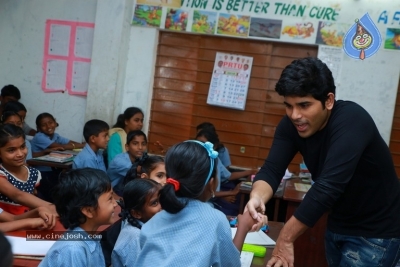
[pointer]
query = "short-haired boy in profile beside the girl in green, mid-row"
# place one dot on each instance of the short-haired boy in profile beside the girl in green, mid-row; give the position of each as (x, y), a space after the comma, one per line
(96, 136)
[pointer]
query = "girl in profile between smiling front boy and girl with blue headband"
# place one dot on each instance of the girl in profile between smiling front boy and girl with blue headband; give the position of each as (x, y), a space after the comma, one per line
(140, 203)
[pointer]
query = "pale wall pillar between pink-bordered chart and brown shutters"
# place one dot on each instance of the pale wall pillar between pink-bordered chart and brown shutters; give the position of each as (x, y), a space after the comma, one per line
(123, 60)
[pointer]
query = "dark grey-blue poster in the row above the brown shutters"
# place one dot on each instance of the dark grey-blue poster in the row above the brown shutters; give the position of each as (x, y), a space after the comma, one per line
(265, 28)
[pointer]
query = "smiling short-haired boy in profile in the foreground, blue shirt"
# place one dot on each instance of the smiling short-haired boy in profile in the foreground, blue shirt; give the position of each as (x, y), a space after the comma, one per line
(84, 200)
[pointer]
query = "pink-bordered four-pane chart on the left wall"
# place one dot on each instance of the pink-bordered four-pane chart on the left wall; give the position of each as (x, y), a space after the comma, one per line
(67, 56)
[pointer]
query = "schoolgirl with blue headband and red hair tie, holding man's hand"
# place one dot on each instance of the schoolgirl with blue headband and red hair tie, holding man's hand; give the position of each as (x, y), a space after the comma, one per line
(188, 231)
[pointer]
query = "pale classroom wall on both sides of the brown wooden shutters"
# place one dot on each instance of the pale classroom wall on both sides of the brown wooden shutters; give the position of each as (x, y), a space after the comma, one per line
(123, 63)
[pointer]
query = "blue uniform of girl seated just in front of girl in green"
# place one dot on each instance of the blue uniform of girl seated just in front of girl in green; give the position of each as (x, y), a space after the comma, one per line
(118, 168)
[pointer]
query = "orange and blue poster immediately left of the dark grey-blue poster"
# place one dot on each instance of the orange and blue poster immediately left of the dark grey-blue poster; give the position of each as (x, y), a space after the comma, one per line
(236, 25)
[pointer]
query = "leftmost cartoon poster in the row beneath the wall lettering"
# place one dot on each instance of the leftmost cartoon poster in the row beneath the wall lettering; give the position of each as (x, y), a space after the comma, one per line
(147, 16)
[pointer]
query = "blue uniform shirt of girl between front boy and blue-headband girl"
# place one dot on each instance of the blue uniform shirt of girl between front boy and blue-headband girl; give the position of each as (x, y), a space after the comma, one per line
(127, 247)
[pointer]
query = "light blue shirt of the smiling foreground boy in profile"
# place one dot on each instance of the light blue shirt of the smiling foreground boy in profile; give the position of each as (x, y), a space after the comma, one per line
(79, 253)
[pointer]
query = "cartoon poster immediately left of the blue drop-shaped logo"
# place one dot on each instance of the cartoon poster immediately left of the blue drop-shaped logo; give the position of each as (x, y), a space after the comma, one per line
(331, 33)
